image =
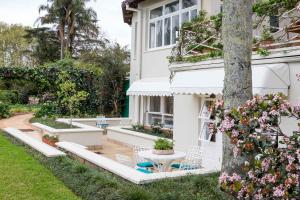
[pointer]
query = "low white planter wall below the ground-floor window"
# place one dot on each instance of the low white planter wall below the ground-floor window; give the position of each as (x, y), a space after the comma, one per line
(129, 137)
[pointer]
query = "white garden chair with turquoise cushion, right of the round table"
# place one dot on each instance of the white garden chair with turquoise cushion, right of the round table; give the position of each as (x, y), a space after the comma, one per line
(193, 160)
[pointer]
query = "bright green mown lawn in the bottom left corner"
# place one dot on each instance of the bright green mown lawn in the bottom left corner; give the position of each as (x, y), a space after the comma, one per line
(23, 177)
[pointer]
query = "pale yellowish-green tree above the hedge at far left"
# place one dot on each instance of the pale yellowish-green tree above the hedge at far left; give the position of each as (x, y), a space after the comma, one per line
(14, 49)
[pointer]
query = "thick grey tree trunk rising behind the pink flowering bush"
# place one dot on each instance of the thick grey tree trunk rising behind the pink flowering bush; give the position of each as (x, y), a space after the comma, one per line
(237, 40)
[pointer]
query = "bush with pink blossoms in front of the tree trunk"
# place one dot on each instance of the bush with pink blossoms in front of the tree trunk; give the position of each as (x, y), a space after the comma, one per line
(272, 168)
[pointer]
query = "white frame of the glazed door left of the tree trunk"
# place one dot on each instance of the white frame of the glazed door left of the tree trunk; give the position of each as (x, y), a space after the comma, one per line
(205, 120)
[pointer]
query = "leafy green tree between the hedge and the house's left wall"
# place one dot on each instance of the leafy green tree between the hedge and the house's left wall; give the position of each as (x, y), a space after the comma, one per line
(113, 60)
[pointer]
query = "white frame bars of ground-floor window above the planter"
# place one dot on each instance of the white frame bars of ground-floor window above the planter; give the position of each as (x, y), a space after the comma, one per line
(162, 113)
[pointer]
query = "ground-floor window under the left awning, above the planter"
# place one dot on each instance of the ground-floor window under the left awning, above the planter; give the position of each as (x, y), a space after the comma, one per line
(160, 110)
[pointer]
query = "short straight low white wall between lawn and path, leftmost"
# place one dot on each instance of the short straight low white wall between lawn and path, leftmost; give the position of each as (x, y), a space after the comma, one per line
(45, 149)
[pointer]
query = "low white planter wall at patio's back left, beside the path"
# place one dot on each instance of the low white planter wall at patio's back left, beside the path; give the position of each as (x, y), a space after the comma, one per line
(84, 135)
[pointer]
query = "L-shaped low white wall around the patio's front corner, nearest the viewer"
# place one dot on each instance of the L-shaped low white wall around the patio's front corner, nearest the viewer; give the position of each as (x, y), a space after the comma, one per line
(122, 170)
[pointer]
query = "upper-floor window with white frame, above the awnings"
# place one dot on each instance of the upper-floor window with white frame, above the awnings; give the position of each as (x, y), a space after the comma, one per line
(165, 21)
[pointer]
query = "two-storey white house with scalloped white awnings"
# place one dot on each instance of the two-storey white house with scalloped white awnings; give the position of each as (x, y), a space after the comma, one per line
(179, 95)
